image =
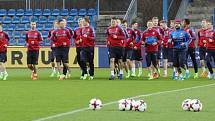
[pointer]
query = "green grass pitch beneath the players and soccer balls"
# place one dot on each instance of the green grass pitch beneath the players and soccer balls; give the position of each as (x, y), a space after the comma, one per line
(22, 99)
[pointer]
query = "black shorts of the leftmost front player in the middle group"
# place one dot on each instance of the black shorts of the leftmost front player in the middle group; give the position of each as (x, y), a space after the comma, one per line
(116, 52)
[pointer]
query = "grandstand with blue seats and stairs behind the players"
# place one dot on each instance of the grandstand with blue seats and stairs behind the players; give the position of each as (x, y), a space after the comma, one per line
(16, 18)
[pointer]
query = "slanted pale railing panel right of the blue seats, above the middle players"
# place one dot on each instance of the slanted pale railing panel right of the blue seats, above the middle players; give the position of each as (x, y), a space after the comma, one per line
(131, 12)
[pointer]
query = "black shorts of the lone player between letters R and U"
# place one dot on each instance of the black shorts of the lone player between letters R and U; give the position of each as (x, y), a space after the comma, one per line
(32, 57)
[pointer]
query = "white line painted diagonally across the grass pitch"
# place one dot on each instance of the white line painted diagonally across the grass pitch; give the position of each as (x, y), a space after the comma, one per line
(110, 103)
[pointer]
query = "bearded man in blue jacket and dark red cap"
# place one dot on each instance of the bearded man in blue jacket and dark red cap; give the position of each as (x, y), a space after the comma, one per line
(180, 39)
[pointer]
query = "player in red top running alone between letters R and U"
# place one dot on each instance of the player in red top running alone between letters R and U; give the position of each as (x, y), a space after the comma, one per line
(33, 39)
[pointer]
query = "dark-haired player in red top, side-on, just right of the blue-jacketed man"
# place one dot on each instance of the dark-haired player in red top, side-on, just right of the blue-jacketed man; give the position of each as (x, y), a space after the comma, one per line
(191, 46)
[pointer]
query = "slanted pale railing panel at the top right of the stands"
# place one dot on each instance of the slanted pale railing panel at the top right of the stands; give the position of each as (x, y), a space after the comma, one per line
(182, 9)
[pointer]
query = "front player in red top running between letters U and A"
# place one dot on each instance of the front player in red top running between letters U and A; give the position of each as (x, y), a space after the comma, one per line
(61, 37)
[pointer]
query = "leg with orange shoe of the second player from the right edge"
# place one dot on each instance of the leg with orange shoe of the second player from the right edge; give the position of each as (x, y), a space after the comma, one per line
(202, 54)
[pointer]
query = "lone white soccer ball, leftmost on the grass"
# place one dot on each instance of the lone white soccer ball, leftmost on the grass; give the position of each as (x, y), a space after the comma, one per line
(95, 104)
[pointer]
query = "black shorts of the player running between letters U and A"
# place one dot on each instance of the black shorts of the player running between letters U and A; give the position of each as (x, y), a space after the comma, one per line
(62, 54)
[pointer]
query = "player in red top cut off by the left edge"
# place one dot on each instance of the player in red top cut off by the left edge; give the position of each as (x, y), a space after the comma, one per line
(3, 53)
